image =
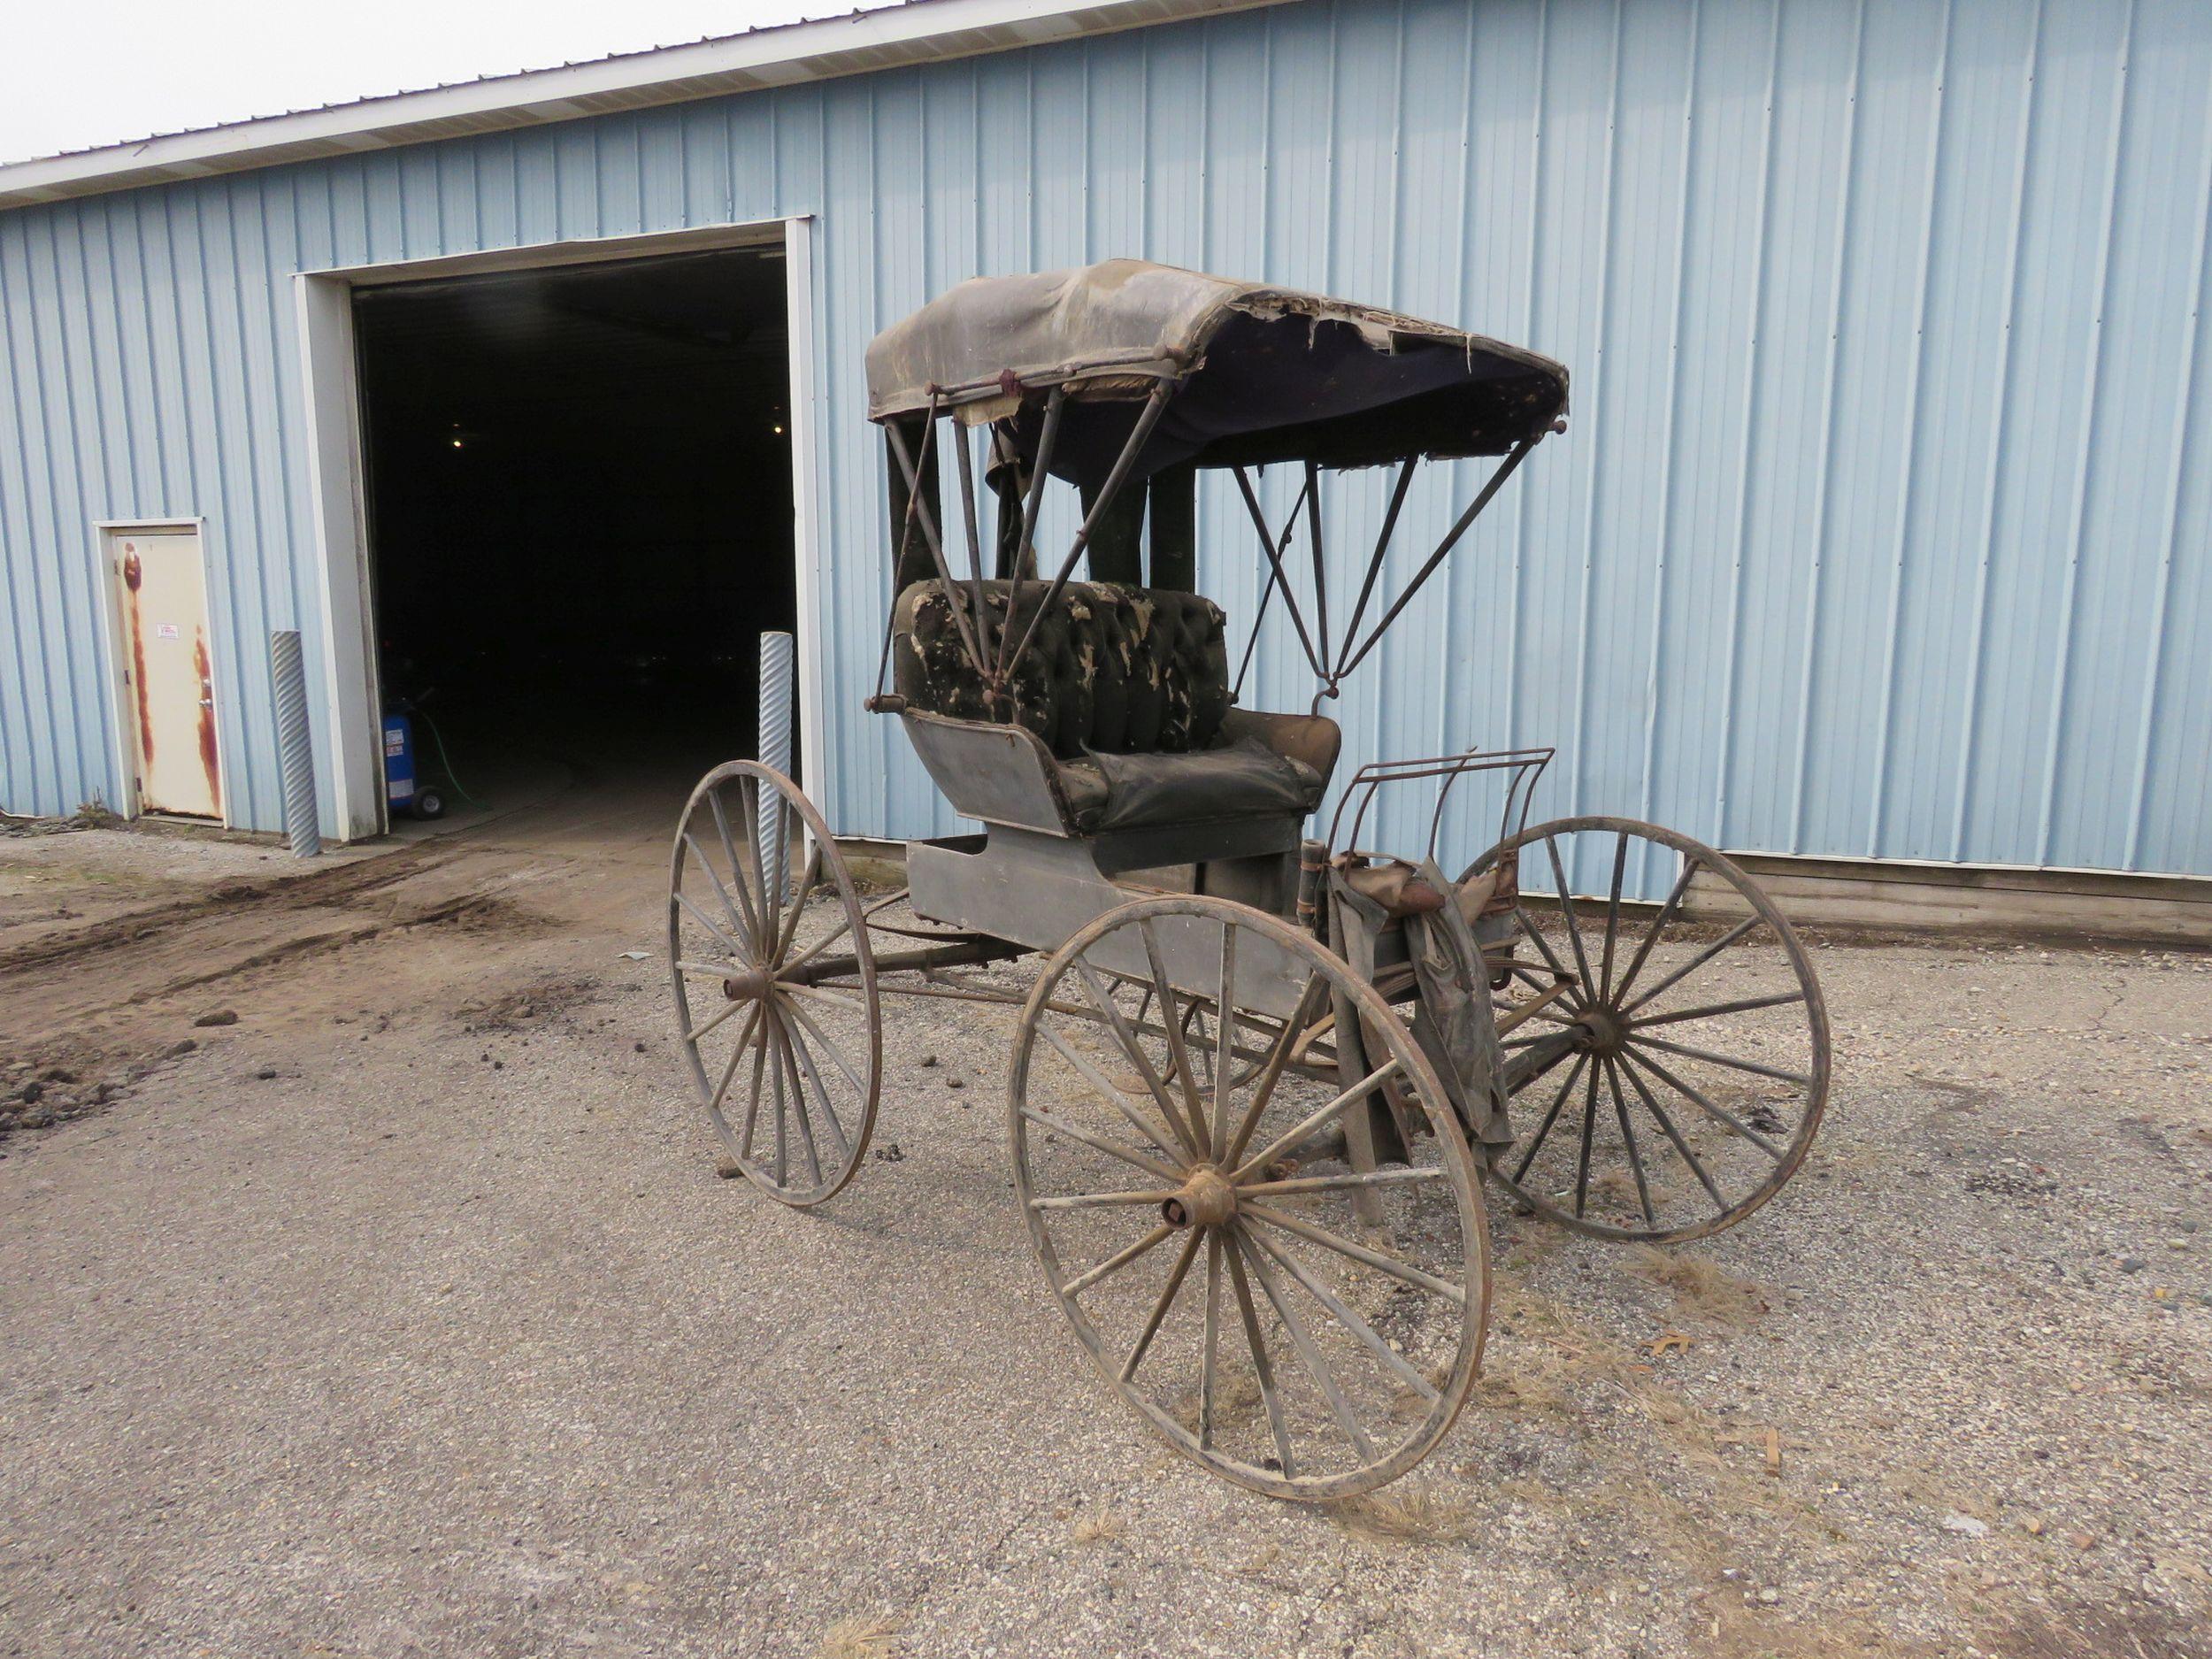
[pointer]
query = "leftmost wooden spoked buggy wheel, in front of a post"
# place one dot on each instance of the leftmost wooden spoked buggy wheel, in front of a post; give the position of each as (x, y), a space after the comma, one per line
(775, 983)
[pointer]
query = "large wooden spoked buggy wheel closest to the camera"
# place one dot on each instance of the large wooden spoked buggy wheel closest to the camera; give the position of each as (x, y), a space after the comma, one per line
(1182, 1160)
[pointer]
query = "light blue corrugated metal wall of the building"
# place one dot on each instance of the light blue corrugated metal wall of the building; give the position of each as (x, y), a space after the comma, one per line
(1881, 530)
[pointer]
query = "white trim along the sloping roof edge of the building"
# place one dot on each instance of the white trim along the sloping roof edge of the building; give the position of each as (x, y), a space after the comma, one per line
(780, 56)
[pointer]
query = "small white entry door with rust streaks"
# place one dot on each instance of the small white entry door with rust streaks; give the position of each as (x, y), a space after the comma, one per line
(169, 676)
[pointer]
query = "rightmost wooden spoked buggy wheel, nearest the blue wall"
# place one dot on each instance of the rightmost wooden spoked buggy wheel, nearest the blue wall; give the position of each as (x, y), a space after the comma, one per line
(1680, 1070)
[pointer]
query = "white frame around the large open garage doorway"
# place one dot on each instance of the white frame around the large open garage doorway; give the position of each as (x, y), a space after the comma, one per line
(324, 302)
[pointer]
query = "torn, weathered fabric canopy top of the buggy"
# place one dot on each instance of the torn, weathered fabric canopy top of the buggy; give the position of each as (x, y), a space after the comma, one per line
(1260, 373)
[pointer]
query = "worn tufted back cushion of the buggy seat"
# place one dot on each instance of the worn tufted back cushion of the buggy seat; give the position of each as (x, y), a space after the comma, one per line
(1112, 669)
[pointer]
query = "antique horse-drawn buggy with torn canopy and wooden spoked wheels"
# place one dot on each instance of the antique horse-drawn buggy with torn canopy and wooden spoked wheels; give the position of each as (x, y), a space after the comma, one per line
(1262, 1078)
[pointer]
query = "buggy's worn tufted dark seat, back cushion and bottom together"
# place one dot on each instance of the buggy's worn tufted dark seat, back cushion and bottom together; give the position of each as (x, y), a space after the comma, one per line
(1129, 691)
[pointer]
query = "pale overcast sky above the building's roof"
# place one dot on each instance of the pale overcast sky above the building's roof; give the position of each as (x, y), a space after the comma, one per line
(76, 74)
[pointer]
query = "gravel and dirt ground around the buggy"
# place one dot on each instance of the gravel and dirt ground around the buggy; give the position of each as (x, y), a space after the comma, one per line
(408, 1317)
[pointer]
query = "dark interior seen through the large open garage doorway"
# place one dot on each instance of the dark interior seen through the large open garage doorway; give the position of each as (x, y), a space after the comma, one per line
(581, 517)
